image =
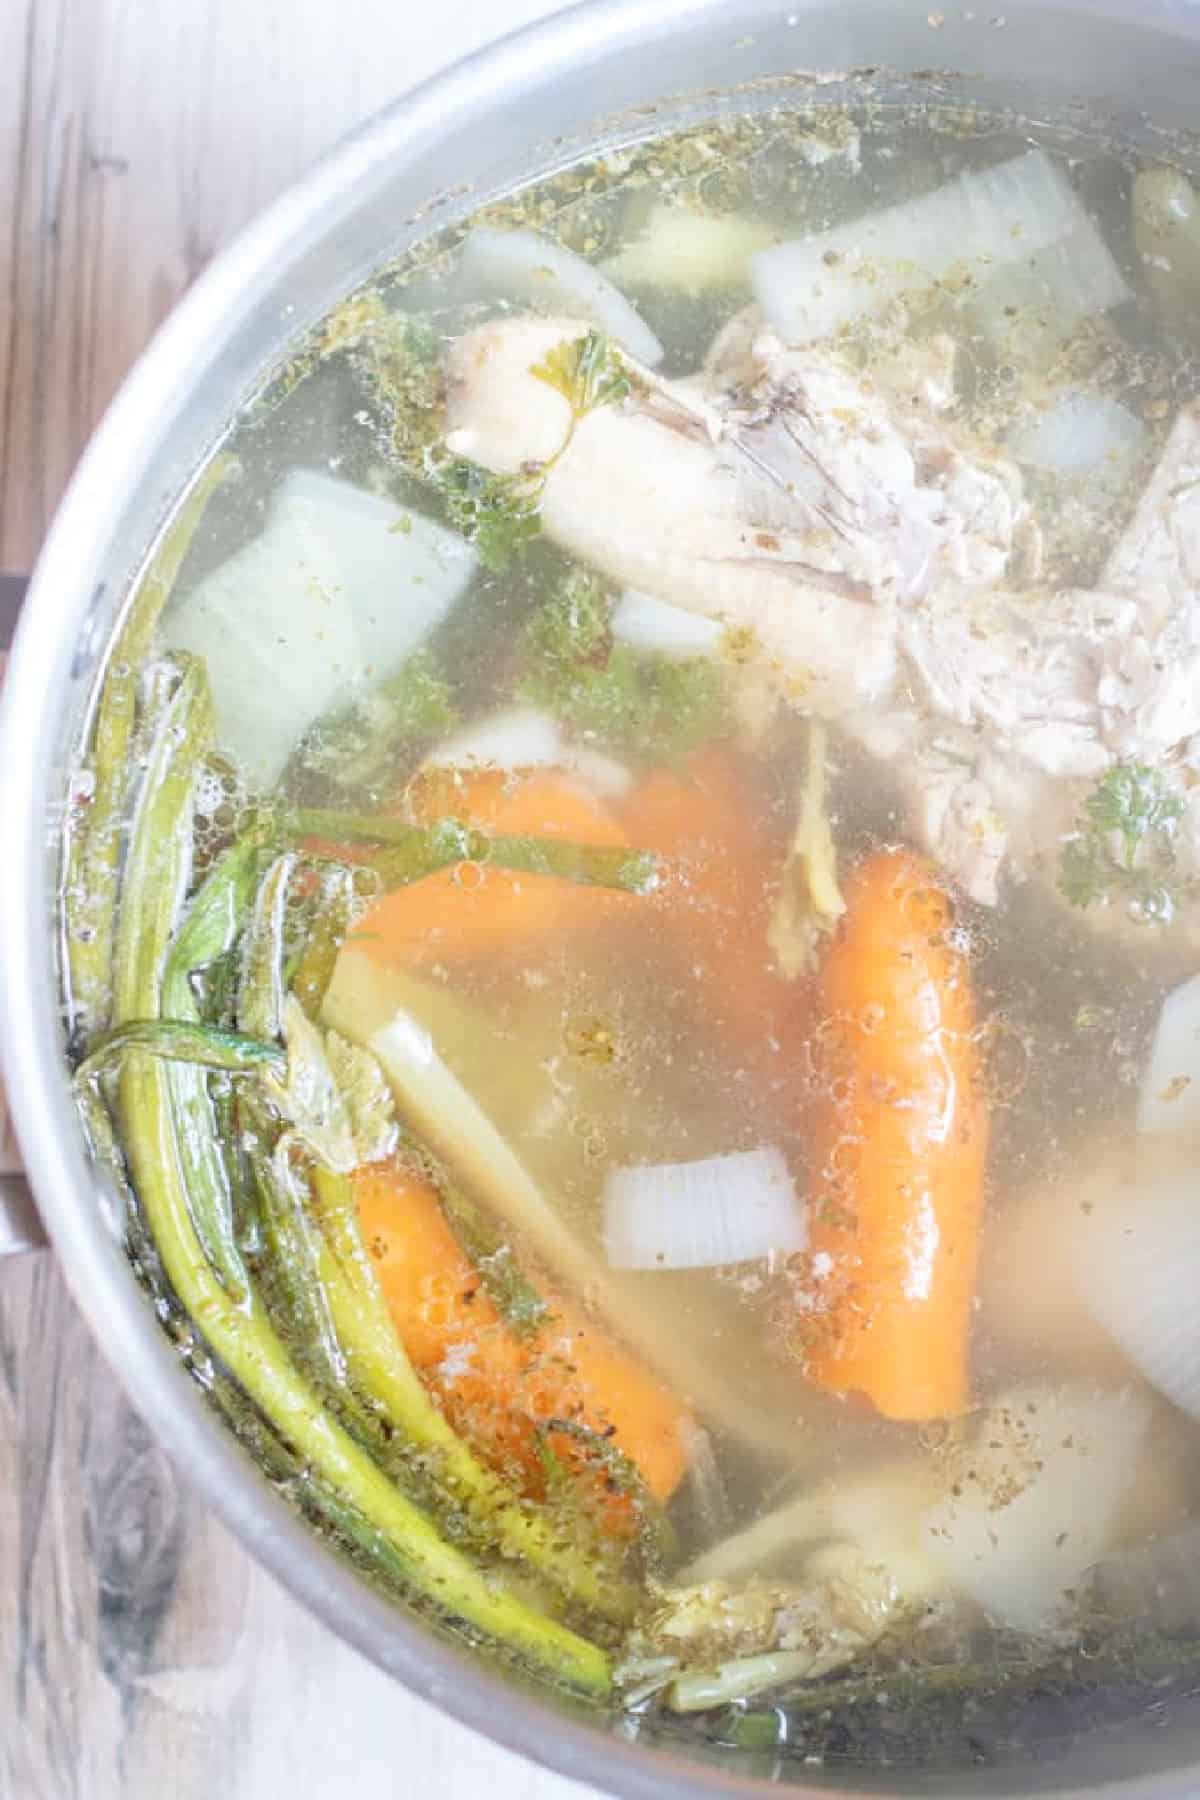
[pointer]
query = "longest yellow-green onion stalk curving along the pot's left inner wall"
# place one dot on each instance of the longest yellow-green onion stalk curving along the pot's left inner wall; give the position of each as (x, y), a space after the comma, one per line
(156, 1120)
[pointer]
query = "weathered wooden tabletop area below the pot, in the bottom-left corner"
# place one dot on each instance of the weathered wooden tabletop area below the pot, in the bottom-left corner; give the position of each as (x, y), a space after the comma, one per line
(141, 1651)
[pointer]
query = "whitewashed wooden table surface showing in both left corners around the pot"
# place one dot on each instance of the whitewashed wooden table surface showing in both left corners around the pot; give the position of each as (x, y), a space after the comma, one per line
(141, 1653)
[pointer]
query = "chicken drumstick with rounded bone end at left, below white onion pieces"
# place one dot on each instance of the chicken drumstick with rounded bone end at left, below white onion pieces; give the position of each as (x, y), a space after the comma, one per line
(794, 510)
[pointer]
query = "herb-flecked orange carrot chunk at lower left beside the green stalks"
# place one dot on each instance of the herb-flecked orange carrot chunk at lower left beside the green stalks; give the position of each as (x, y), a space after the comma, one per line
(496, 1387)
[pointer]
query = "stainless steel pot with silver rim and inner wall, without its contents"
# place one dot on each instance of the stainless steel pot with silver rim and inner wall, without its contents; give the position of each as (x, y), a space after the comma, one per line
(533, 103)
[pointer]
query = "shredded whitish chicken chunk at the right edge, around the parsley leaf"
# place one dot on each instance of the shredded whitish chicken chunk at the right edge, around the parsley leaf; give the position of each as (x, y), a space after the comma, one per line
(1052, 692)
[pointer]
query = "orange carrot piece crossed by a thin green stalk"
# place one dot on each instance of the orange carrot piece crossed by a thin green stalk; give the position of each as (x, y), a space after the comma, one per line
(474, 910)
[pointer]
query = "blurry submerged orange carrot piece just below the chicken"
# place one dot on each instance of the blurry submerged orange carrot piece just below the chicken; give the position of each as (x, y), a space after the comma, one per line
(717, 894)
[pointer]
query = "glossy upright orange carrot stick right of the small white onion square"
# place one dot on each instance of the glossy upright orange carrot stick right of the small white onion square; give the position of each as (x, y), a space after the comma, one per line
(900, 1149)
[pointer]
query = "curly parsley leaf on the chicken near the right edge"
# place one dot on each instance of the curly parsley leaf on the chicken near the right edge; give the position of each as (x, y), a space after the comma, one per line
(1124, 845)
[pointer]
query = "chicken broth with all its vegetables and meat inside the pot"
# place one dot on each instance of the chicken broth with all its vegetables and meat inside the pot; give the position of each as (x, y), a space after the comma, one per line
(631, 933)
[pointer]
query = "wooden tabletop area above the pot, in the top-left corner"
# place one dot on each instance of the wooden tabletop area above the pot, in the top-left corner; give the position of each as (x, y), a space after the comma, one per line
(134, 141)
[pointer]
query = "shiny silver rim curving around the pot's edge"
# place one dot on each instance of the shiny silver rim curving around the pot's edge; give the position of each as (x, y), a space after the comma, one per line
(78, 1218)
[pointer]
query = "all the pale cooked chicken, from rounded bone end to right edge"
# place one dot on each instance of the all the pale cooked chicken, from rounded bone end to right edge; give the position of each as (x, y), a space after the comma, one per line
(886, 564)
